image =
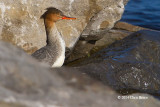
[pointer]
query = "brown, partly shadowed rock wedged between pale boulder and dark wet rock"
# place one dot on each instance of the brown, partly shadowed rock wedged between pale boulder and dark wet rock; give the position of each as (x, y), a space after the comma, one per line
(93, 43)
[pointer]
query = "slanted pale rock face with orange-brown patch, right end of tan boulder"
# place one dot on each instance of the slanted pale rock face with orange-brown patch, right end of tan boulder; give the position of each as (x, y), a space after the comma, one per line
(105, 18)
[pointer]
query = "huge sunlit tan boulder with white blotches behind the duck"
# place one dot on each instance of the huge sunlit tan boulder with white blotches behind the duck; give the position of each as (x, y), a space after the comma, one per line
(21, 24)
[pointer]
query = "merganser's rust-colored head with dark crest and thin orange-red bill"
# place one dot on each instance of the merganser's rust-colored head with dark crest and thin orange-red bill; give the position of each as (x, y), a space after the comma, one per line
(54, 15)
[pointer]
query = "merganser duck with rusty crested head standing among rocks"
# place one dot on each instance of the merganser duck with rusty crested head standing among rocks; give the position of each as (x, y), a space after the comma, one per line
(54, 51)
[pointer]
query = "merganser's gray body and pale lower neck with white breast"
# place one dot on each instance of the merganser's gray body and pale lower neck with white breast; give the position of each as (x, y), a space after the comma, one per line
(54, 52)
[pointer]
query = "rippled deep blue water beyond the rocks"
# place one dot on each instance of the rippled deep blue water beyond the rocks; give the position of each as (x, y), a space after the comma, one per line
(145, 13)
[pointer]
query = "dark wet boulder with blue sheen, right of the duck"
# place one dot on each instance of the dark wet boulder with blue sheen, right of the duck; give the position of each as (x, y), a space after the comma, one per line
(131, 63)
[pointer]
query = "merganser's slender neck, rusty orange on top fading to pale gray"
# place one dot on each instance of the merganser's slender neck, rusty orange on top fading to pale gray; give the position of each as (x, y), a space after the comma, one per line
(53, 36)
